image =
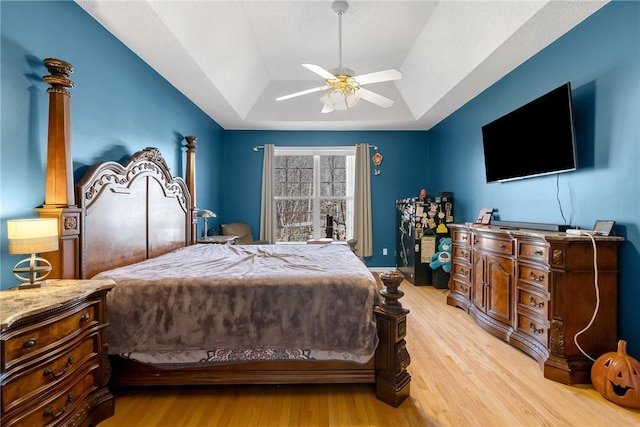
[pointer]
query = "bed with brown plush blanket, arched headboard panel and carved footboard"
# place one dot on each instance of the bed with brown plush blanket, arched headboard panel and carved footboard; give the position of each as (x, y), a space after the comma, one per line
(136, 223)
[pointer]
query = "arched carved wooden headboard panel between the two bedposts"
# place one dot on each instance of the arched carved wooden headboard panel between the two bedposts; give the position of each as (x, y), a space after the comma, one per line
(131, 212)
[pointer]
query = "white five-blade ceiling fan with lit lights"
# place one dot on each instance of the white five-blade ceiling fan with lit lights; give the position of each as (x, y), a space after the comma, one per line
(345, 89)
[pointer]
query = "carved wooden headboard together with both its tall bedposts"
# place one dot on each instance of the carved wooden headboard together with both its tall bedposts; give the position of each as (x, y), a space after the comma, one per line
(125, 212)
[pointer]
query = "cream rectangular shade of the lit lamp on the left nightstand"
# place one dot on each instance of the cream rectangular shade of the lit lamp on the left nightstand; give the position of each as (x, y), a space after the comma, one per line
(30, 236)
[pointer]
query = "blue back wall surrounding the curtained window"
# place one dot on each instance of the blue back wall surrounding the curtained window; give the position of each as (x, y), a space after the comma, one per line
(402, 174)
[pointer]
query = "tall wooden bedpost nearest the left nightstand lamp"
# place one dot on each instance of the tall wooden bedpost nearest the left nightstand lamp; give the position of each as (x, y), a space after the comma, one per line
(59, 199)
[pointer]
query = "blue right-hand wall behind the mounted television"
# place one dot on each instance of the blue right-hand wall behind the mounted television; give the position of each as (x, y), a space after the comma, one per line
(601, 59)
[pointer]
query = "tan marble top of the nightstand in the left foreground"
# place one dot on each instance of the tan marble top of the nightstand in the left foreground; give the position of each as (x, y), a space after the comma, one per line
(16, 304)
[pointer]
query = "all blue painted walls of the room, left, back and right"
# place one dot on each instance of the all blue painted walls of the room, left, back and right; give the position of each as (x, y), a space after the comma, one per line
(120, 105)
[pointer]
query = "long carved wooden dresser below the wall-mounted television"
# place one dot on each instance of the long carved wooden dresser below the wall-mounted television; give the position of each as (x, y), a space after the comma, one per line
(536, 290)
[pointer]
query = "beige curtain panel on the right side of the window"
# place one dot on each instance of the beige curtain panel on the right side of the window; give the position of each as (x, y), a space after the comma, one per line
(362, 229)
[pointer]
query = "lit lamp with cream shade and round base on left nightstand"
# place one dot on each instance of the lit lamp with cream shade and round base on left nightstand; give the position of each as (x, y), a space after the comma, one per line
(32, 236)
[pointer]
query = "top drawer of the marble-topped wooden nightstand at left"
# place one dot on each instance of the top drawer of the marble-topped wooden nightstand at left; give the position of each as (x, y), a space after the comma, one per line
(32, 340)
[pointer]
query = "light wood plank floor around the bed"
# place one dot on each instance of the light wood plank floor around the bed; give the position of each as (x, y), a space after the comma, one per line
(461, 376)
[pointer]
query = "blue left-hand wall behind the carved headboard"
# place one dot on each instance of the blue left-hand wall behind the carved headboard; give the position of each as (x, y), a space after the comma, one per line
(119, 105)
